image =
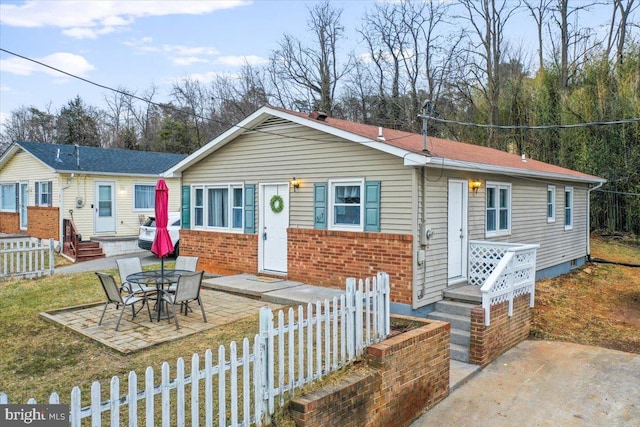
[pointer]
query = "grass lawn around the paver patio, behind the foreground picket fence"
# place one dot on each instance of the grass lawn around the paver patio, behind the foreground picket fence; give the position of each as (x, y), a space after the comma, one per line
(38, 358)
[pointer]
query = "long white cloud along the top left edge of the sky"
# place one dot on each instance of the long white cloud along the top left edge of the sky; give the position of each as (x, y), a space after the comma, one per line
(77, 18)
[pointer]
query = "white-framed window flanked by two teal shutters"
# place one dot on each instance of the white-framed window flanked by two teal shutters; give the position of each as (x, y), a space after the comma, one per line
(346, 198)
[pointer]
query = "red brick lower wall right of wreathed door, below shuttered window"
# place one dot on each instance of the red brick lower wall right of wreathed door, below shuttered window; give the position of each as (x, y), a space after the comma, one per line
(328, 258)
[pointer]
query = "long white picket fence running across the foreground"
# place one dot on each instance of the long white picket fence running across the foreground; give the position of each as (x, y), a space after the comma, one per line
(243, 389)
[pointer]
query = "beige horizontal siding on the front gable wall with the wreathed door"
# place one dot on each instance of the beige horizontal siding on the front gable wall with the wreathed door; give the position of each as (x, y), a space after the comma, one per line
(310, 156)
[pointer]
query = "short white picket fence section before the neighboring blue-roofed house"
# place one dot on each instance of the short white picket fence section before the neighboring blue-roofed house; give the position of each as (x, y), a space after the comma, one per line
(26, 257)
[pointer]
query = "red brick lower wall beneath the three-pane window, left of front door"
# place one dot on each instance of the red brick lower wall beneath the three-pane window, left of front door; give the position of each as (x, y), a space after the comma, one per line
(221, 253)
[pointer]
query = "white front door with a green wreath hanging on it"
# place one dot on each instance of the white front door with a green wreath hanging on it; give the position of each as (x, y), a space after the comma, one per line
(273, 227)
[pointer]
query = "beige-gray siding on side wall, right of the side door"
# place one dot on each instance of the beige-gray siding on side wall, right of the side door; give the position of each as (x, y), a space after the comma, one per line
(529, 220)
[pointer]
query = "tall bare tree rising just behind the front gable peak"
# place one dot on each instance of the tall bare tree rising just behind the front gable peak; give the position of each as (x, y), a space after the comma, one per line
(314, 70)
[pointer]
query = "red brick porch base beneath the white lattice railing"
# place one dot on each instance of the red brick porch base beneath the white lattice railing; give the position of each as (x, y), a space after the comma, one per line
(504, 332)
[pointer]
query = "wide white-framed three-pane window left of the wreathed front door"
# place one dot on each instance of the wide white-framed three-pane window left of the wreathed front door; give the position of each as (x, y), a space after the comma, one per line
(218, 206)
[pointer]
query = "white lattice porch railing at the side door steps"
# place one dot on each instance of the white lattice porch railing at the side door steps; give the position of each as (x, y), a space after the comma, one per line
(504, 271)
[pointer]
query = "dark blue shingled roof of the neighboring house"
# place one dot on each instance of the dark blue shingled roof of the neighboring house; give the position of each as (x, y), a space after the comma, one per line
(105, 160)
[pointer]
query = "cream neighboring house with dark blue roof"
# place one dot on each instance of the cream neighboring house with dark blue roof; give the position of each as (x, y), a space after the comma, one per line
(102, 194)
